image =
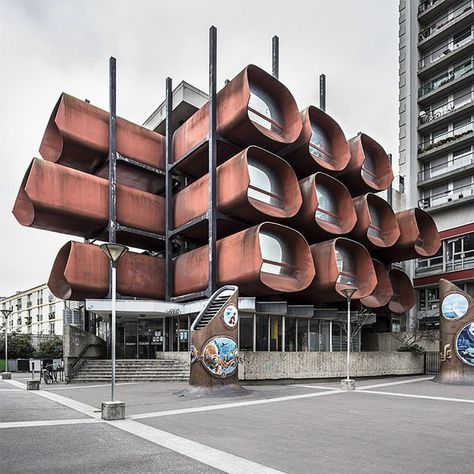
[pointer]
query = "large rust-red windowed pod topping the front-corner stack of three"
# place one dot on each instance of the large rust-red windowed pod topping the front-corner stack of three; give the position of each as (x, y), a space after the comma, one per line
(254, 108)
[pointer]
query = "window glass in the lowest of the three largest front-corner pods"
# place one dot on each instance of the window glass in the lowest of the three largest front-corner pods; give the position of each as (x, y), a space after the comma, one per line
(276, 255)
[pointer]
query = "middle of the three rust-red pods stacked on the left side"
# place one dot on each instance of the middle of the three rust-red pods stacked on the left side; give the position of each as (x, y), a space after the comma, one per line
(60, 199)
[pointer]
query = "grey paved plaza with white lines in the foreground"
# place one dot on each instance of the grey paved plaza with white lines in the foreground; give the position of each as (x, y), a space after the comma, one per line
(388, 425)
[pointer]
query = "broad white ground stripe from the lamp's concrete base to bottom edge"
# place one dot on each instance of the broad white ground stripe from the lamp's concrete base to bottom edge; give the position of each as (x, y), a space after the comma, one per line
(226, 462)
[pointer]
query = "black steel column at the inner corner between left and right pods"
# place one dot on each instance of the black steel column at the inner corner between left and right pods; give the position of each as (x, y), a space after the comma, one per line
(169, 191)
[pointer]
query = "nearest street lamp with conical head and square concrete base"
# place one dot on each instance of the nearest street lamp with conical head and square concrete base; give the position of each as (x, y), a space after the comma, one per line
(114, 252)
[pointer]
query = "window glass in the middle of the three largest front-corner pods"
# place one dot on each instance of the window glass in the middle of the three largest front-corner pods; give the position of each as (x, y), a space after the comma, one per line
(264, 184)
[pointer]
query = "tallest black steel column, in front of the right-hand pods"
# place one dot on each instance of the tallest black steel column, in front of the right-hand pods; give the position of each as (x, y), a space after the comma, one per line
(212, 197)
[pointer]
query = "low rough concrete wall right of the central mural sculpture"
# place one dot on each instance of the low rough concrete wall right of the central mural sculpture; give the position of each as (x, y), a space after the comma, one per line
(313, 365)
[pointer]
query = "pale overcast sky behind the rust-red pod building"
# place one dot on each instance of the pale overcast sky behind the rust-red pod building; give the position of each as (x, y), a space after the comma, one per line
(51, 46)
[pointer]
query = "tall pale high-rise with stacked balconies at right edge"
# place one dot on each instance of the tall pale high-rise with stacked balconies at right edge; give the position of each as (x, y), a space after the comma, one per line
(436, 67)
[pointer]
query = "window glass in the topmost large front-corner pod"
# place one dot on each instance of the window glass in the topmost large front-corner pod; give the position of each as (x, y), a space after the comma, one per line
(264, 110)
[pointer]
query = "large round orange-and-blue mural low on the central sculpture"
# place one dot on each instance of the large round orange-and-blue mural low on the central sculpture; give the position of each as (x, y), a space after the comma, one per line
(220, 356)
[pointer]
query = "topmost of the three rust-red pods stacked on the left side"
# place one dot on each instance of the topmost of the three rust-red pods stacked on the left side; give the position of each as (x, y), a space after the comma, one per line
(77, 136)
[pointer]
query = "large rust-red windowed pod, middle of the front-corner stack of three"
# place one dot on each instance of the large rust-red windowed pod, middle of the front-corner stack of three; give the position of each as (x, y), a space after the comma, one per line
(253, 186)
